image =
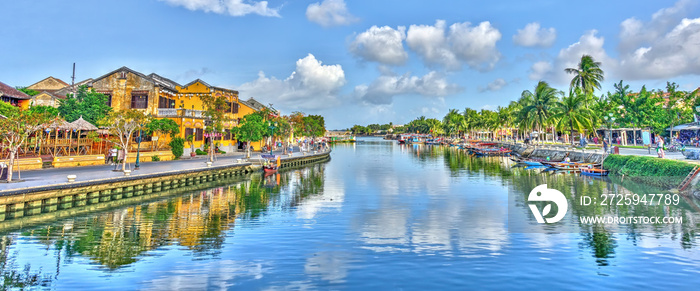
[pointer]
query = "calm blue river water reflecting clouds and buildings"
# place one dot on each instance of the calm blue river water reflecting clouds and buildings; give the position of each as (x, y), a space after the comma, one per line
(377, 216)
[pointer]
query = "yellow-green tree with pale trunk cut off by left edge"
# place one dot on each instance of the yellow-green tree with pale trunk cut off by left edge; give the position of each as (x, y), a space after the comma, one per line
(17, 126)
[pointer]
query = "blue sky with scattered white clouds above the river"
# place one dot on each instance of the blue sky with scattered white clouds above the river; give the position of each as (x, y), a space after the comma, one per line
(356, 62)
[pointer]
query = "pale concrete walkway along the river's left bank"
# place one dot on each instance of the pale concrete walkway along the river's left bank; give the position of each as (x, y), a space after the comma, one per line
(52, 176)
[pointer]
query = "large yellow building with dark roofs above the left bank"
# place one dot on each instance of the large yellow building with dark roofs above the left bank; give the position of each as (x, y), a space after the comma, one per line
(161, 97)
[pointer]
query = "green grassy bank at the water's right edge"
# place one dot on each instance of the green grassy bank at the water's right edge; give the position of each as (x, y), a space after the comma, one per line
(650, 170)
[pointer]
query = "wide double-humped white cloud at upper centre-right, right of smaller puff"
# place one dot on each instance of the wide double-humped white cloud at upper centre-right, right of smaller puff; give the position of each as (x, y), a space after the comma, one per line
(462, 44)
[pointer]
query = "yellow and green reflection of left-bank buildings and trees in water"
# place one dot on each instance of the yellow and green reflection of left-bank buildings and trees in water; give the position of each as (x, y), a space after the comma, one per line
(198, 221)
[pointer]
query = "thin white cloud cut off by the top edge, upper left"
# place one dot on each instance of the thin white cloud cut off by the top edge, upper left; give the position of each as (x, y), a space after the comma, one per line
(230, 7)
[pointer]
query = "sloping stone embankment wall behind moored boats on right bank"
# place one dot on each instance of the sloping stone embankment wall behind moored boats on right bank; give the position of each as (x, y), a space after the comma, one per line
(555, 153)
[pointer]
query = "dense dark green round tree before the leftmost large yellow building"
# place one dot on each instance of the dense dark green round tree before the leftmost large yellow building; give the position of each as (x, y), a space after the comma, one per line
(92, 106)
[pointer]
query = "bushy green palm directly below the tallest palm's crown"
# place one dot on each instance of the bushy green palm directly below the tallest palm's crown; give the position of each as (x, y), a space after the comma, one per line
(571, 111)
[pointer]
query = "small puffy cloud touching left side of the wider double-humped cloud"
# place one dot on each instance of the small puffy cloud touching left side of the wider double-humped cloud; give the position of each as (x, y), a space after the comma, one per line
(381, 44)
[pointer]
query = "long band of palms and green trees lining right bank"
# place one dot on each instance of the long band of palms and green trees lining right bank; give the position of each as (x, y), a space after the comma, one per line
(551, 113)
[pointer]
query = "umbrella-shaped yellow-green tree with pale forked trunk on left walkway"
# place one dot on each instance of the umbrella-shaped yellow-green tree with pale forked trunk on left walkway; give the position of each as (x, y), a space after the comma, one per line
(123, 124)
